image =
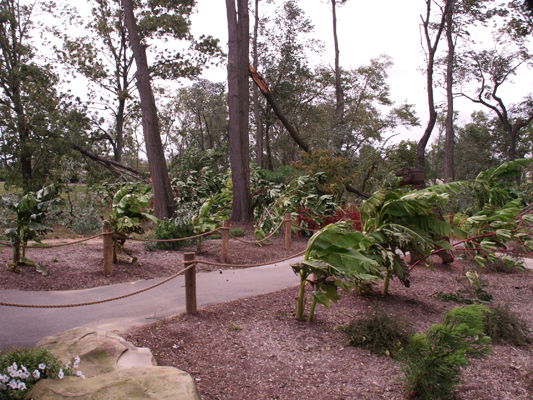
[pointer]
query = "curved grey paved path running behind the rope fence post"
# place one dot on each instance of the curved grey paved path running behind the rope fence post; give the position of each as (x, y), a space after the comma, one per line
(25, 326)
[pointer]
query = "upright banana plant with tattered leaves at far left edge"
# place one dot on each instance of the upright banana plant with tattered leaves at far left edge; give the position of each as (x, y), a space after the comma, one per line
(27, 221)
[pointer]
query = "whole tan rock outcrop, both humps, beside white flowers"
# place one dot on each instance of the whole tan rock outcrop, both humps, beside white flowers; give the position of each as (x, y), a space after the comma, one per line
(114, 369)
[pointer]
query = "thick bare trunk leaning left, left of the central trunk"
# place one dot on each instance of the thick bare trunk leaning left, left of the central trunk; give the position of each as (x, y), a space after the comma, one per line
(163, 202)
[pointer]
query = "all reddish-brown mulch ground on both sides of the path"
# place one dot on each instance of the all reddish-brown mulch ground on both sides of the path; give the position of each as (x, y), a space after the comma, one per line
(254, 349)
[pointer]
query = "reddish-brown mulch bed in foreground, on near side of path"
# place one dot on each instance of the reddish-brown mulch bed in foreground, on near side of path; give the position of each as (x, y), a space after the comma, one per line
(254, 349)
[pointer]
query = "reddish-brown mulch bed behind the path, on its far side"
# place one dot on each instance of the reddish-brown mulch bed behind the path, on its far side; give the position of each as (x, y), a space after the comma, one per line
(80, 266)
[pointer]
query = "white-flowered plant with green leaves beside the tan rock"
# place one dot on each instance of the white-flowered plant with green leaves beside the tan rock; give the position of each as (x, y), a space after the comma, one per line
(21, 369)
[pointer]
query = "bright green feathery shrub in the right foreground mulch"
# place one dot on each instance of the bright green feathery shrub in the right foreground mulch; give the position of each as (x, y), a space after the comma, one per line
(433, 360)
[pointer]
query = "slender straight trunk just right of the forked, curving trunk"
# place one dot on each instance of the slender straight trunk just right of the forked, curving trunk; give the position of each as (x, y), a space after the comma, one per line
(449, 170)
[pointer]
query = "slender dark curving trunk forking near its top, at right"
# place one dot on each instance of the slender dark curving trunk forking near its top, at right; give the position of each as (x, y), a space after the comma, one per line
(431, 46)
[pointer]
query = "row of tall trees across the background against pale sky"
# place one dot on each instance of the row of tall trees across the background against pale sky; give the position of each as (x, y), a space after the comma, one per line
(348, 112)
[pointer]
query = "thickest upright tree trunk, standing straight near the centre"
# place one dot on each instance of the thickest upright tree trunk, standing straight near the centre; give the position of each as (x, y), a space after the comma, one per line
(238, 91)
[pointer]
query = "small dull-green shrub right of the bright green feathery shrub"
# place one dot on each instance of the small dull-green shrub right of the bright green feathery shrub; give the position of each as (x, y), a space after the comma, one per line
(505, 327)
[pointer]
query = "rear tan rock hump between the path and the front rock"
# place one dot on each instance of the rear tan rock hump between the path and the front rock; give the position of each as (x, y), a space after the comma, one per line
(100, 351)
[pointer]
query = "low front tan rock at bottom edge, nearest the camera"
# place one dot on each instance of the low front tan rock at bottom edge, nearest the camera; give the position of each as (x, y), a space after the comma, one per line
(157, 383)
